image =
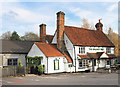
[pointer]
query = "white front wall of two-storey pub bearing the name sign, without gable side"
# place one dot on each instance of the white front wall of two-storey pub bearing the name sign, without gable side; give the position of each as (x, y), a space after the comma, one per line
(88, 50)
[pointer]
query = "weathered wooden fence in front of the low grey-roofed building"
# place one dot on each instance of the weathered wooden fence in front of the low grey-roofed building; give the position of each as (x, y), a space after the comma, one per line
(13, 71)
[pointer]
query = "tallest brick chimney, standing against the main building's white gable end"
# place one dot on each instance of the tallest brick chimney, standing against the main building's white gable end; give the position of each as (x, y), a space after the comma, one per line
(60, 30)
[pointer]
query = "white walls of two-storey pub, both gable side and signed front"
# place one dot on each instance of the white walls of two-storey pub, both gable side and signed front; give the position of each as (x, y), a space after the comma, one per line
(88, 49)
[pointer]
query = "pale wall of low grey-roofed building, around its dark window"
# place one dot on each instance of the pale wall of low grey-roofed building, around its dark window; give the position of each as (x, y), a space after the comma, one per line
(4, 58)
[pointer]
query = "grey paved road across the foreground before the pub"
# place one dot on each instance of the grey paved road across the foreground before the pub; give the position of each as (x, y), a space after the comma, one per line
(64, 79)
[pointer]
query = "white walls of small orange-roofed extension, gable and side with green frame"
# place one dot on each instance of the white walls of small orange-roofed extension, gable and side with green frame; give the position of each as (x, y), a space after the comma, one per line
(48, 62)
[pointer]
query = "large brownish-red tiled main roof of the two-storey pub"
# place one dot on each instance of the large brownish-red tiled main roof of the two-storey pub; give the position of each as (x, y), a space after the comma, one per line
(85, 37)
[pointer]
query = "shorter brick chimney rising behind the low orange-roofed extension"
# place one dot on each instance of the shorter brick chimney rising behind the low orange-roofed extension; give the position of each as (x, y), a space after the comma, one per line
(43, 33)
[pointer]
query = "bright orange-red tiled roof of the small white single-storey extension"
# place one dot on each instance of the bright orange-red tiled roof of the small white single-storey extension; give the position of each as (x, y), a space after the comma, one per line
(49, 50)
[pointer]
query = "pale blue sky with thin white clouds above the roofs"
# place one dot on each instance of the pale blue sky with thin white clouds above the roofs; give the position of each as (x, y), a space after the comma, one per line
(27, 16)
